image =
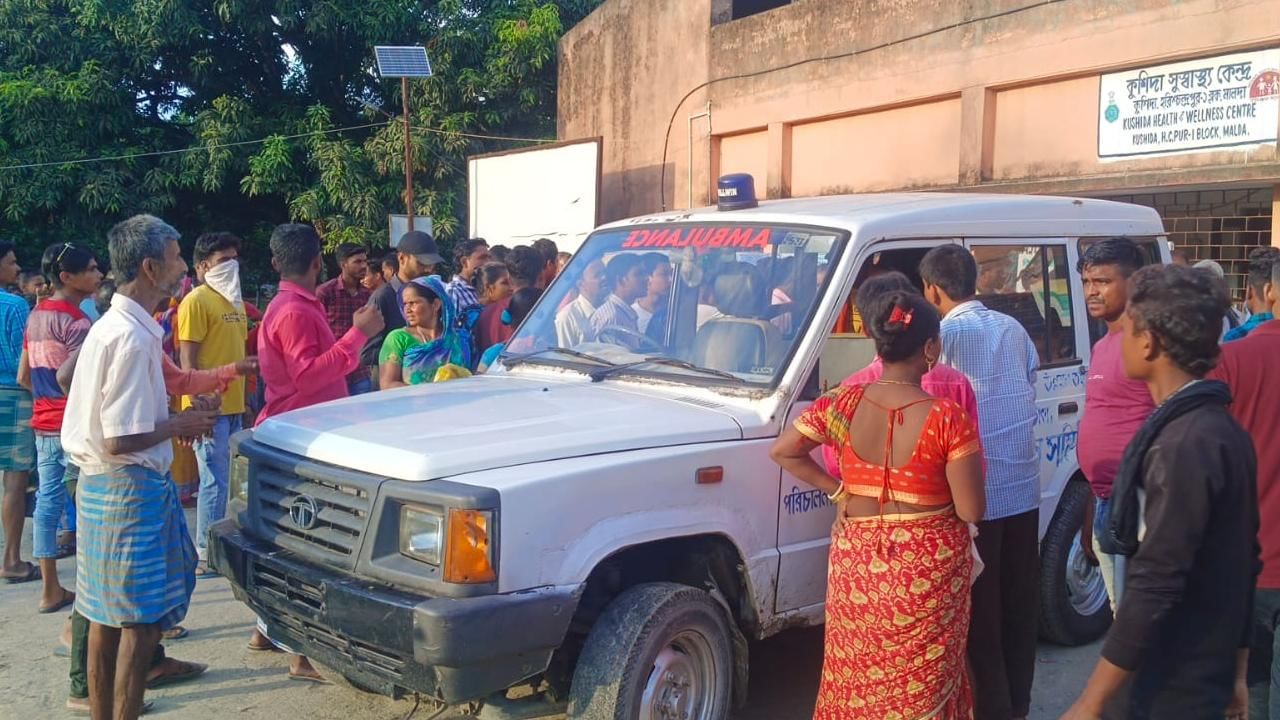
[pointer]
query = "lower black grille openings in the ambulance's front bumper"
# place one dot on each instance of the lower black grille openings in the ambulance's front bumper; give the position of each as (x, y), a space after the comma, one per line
(300, 603)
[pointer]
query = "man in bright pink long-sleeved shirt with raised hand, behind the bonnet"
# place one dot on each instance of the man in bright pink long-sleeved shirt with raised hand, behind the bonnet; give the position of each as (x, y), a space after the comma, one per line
(303, 363)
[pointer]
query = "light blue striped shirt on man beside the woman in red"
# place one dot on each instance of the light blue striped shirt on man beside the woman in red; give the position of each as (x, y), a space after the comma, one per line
(1000, 361)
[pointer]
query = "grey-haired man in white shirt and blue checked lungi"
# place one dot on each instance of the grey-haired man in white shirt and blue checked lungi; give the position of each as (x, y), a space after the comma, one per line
(136, 563)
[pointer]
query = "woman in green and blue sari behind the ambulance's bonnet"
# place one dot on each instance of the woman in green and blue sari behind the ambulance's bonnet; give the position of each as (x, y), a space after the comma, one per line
(431, 341)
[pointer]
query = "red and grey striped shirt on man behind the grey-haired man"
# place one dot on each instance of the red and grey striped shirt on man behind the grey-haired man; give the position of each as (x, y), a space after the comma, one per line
(56, 330)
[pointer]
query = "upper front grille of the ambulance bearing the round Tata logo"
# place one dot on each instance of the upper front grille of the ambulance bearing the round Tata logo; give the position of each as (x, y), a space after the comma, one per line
(336, 512)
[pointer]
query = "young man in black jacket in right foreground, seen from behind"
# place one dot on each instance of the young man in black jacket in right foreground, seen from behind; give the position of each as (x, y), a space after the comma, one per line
(1185, 507)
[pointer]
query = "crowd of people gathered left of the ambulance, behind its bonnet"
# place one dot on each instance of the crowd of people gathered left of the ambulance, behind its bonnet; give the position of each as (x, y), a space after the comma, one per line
(107, 379)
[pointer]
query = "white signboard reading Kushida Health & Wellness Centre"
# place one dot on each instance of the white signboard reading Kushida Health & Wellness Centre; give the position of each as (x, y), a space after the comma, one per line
(1215, 103)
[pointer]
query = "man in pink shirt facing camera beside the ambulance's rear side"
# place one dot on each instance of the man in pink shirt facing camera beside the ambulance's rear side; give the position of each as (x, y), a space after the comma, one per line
(1116, 407)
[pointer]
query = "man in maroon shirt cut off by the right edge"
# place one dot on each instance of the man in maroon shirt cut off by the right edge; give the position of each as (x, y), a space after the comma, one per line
(1249, 367)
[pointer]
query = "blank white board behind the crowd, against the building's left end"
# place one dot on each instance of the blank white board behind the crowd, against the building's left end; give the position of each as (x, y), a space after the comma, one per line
(547, 192)
